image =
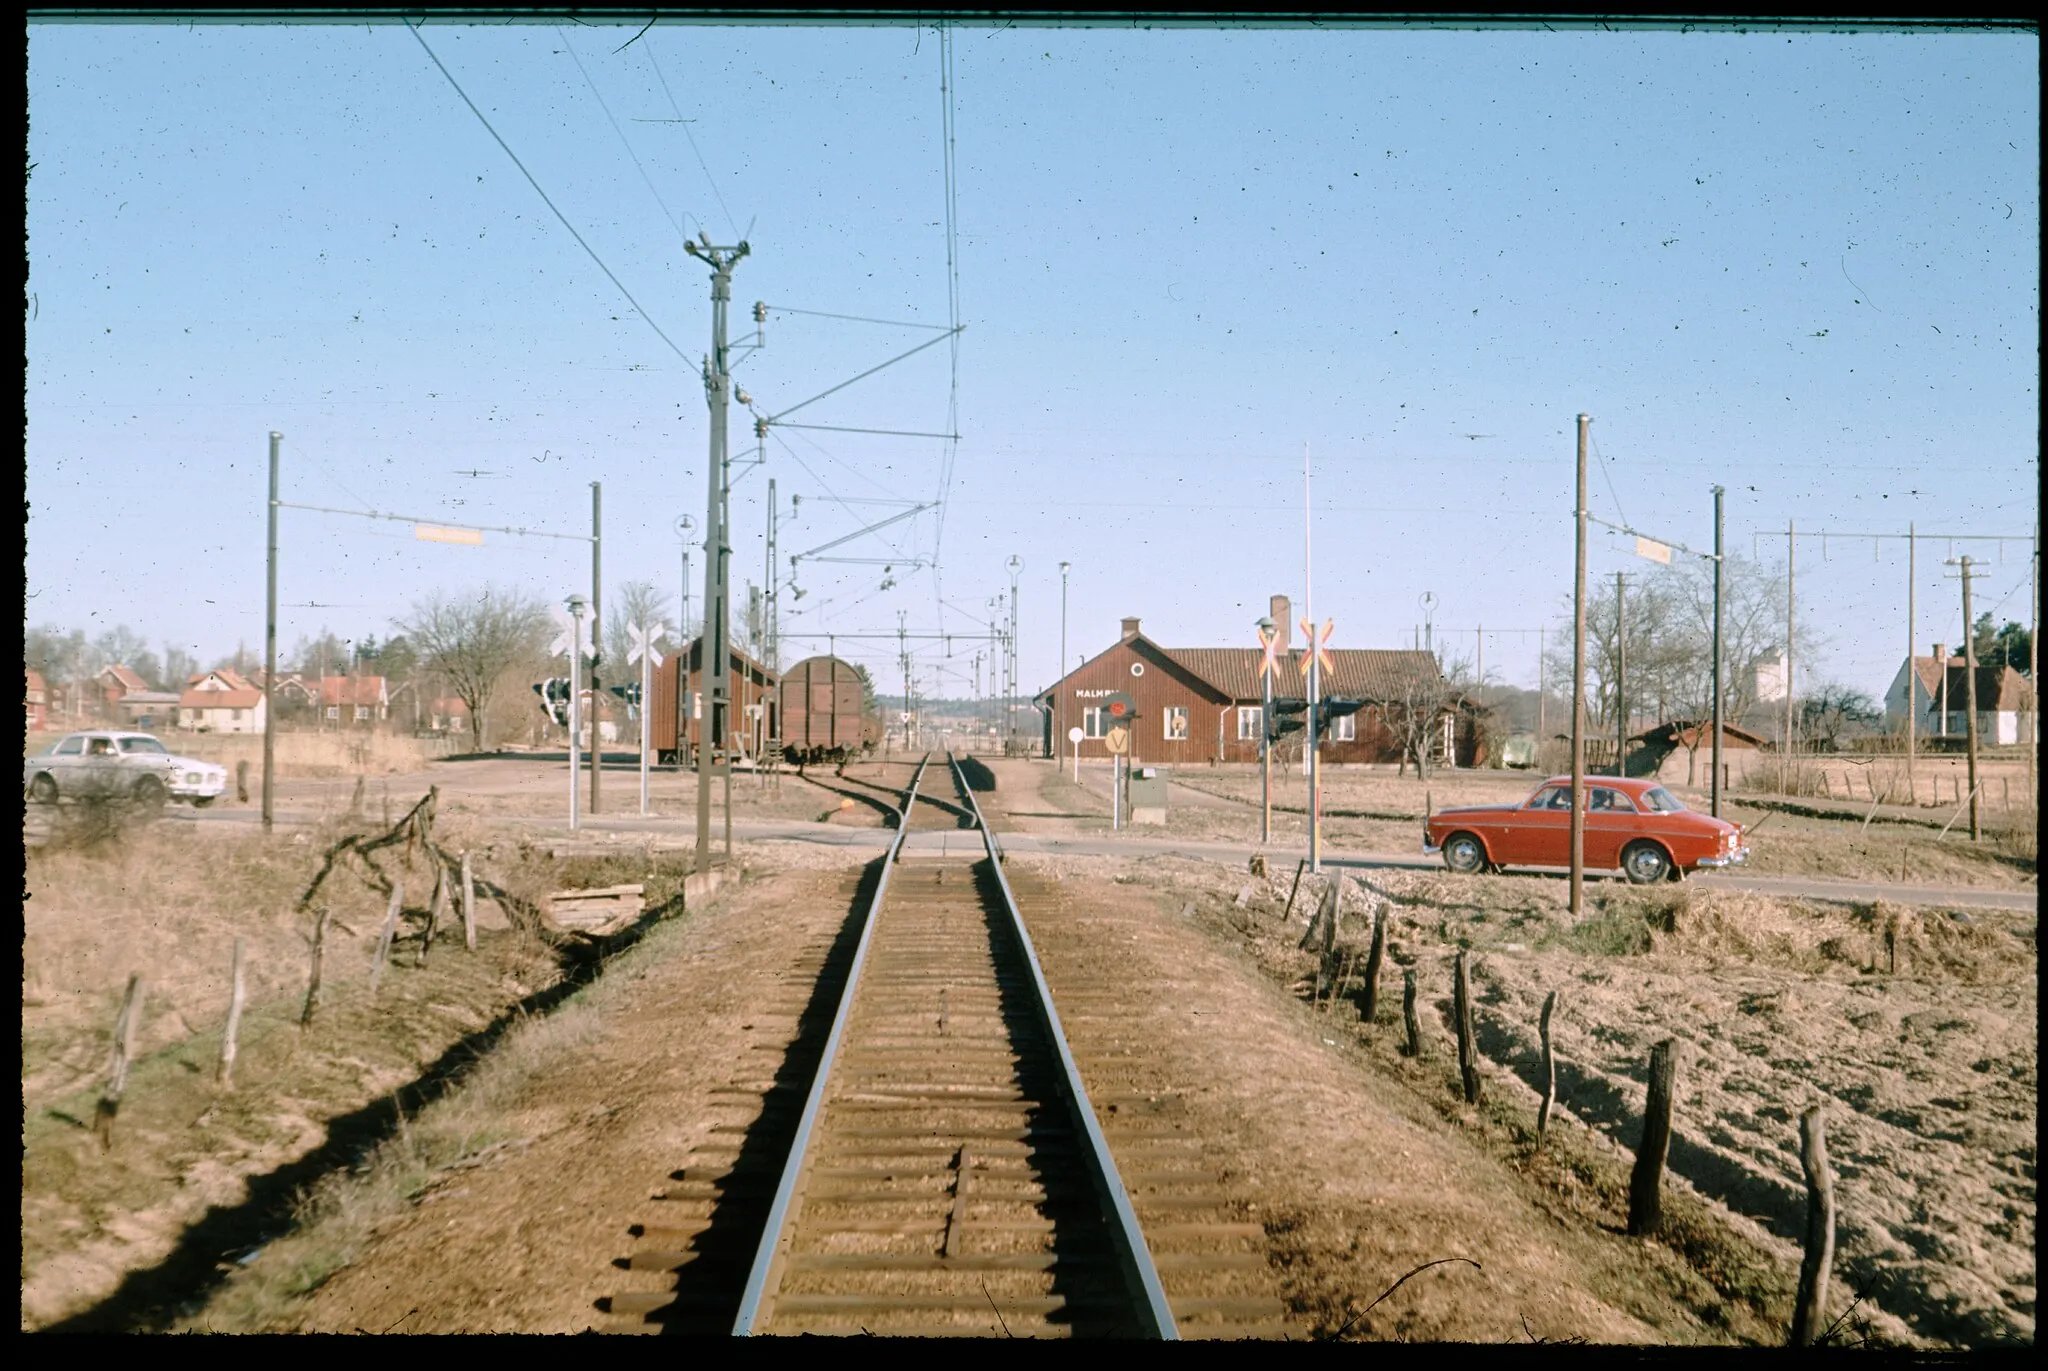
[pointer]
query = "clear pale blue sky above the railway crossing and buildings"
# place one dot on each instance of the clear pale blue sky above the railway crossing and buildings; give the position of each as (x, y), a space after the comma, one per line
(1805, 267)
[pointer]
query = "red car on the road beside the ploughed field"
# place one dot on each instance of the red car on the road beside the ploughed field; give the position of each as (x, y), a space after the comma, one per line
(1631, 825)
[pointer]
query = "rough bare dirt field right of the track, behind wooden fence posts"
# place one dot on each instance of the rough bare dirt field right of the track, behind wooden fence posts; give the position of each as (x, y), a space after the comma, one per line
(1916, 1032)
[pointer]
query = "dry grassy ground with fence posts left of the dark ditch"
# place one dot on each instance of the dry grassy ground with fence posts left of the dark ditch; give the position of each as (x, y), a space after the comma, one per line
(196, 1175)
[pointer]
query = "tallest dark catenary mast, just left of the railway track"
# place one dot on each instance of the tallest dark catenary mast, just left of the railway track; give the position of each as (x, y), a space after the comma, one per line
(714, 653)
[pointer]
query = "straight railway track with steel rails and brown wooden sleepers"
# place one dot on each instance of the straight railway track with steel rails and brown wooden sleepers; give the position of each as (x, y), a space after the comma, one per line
(929, 1163)
